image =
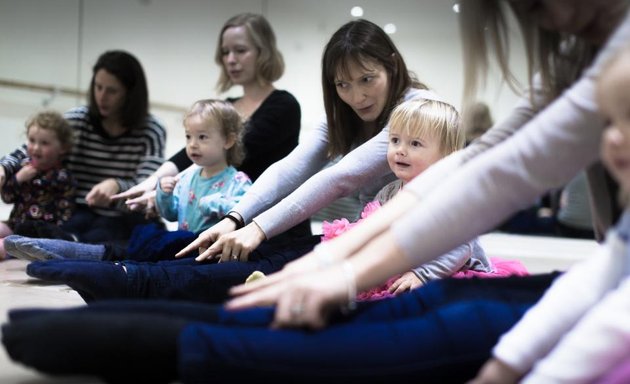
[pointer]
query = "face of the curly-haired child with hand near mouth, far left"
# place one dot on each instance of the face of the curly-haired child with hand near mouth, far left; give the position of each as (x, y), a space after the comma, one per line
(43, 148)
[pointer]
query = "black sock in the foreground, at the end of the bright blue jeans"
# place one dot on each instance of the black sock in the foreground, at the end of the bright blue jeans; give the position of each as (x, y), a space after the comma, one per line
(118, 348)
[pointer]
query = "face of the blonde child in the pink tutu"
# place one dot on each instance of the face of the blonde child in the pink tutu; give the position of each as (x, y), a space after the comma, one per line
(409, 156)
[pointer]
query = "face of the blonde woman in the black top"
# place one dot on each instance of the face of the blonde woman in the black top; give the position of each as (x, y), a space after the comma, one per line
(239, 55)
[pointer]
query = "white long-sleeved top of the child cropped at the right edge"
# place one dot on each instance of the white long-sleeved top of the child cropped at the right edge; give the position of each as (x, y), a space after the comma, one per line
(580, 328)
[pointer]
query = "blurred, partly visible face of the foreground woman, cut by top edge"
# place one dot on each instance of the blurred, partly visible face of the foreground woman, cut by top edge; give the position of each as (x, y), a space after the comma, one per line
(593, 20)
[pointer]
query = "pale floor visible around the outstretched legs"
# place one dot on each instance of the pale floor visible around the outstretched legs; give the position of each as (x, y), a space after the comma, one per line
(18, 290)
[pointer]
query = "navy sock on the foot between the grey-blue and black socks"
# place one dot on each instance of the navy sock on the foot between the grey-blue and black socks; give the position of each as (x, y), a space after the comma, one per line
(93, 280)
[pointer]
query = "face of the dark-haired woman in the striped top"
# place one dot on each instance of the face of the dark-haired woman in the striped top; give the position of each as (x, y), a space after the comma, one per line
(109, 94)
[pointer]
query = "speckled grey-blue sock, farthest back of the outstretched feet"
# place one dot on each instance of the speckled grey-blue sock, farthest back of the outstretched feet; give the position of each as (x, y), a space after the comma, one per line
(46, 249)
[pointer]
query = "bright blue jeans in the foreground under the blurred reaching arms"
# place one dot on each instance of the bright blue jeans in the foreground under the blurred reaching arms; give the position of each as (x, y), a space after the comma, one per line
(441, 333)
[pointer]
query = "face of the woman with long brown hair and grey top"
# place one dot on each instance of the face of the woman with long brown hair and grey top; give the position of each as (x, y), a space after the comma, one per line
(364, 88)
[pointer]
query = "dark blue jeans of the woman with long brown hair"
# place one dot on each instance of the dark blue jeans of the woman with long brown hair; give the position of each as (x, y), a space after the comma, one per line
(209, 282)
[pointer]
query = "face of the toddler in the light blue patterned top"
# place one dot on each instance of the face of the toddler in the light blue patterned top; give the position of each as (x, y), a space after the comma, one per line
(205, 145)
